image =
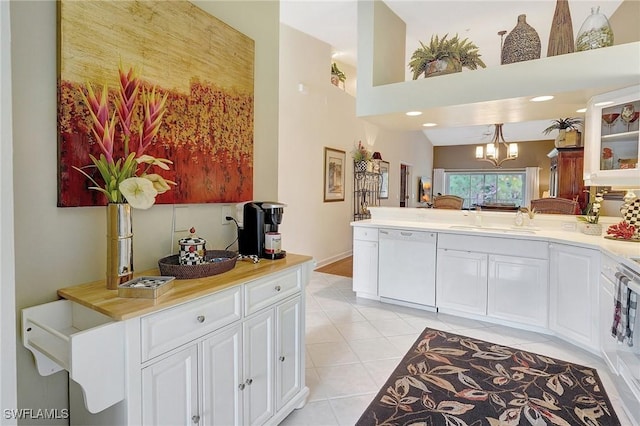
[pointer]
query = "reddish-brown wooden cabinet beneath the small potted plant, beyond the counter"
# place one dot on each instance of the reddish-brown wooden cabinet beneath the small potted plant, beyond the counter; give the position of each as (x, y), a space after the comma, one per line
(567, 165)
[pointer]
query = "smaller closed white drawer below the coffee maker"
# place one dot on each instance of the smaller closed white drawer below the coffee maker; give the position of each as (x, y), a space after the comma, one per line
(262, 293)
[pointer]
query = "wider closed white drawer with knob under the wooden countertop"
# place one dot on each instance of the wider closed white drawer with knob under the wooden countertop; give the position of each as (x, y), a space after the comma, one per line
(173, 327)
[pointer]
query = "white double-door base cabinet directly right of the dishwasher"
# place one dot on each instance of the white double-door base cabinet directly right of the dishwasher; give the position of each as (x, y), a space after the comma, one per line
(503, 279)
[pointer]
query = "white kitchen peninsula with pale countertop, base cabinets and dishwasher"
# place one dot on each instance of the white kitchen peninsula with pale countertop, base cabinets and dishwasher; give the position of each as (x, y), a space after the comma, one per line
(546, 276)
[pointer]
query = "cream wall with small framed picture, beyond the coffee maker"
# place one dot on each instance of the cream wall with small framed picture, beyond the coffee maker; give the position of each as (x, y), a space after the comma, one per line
(325, 116)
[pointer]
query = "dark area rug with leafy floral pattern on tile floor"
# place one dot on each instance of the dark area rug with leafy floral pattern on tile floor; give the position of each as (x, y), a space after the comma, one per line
(452, 380)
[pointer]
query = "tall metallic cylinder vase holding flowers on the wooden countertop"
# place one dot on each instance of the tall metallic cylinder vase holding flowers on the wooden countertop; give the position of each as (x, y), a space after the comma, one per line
(119, 244)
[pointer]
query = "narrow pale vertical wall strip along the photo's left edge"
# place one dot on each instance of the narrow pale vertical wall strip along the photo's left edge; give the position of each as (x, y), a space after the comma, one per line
(8, 396)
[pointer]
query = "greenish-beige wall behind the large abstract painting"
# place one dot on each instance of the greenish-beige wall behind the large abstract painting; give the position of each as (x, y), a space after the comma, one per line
(58, 247)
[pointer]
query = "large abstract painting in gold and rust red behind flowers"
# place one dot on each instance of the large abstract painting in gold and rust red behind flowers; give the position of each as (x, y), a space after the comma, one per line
(205, 67)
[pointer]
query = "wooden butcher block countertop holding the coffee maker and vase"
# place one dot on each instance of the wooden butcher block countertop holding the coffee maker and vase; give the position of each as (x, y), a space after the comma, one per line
(95, 295)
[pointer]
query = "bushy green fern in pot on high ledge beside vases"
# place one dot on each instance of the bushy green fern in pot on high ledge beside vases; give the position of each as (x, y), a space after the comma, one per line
(445, 56)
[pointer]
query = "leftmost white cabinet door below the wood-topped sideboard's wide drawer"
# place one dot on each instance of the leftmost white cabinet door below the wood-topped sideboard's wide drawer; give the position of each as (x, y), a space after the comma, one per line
(170, 390)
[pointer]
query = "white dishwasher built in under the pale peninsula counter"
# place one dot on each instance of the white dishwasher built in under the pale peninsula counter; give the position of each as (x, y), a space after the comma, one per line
(407, 266)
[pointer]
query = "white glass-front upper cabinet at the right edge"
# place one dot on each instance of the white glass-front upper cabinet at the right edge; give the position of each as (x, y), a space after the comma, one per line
(613, 139)
